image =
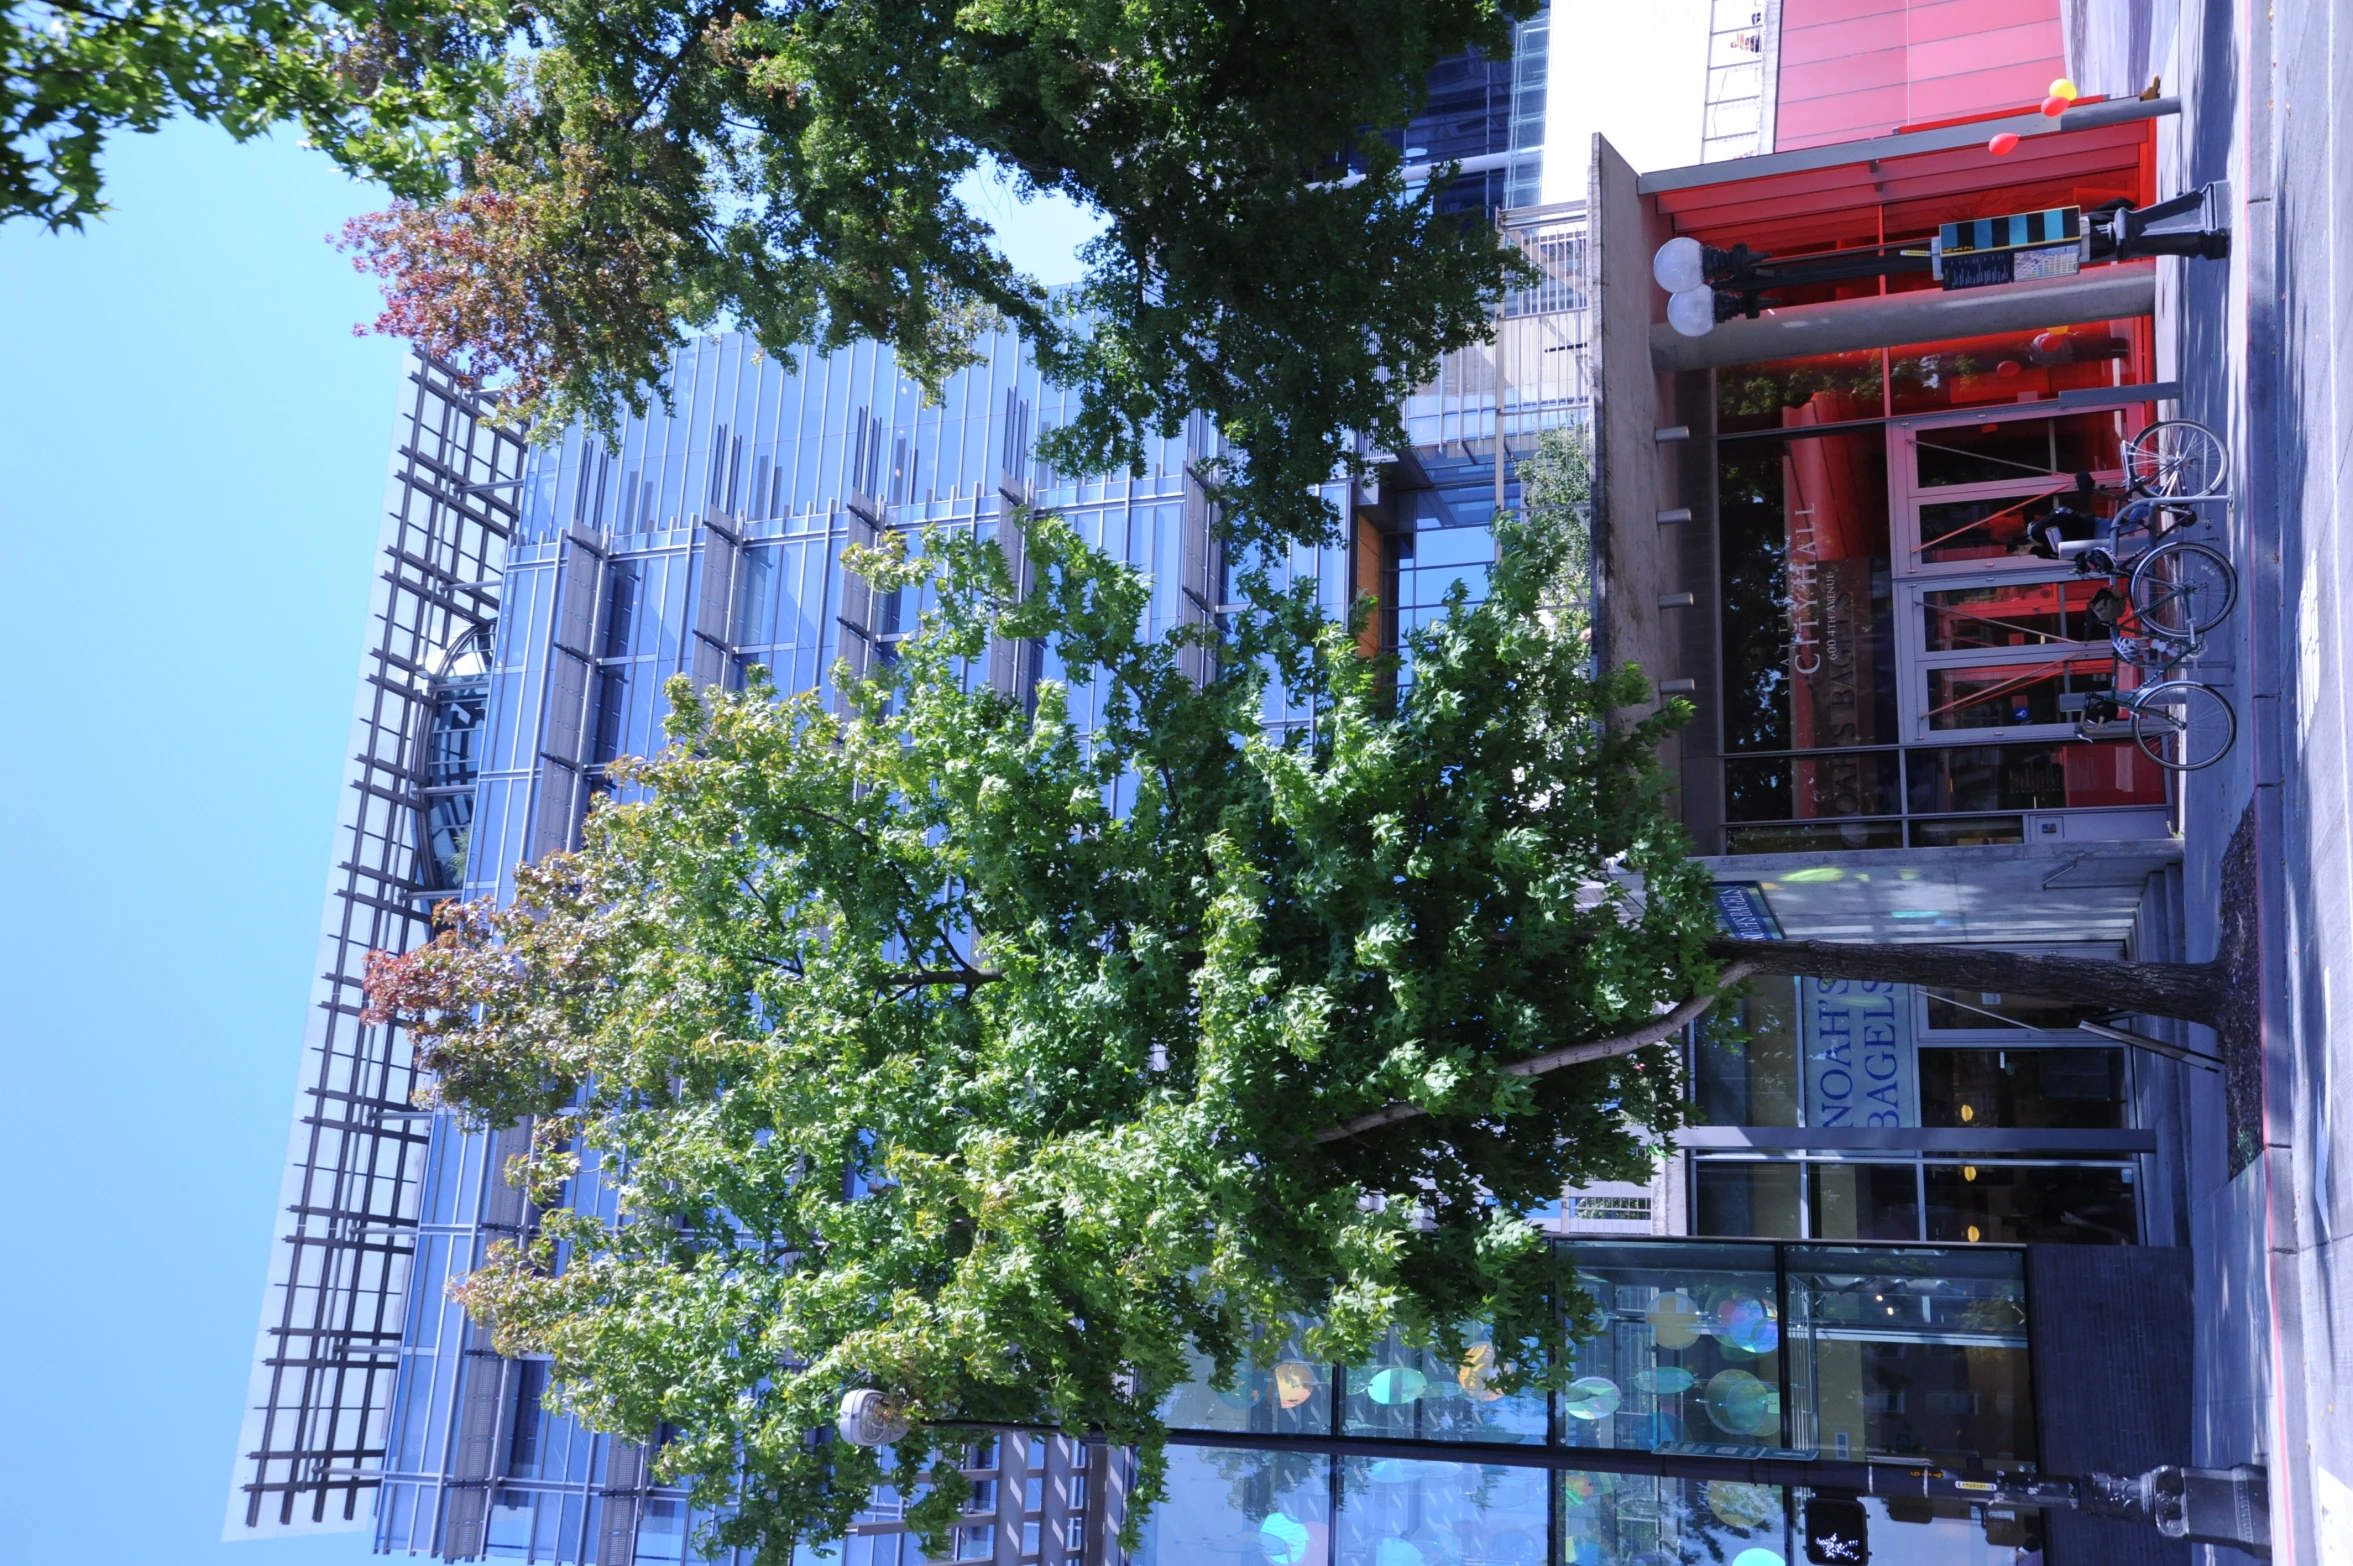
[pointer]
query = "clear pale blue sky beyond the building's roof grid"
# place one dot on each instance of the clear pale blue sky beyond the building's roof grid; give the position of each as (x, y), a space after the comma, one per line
(194, 453)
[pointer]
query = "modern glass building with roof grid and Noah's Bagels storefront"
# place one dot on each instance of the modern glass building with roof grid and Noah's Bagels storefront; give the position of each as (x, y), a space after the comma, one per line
(1862, 1250)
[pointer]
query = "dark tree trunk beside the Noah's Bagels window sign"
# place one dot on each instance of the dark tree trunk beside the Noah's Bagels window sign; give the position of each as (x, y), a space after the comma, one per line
(2189, 991)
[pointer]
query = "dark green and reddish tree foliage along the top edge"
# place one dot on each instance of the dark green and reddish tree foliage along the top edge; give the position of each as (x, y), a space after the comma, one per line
(582, 185)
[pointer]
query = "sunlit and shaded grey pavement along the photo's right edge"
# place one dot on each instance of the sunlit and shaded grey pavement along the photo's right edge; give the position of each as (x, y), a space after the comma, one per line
(2265, 352)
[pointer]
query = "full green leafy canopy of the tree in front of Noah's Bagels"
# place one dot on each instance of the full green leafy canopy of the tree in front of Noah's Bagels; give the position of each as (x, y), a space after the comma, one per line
(954, 1048)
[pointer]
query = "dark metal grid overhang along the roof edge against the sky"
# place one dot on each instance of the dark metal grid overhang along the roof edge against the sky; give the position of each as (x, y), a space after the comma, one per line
(340, 1266)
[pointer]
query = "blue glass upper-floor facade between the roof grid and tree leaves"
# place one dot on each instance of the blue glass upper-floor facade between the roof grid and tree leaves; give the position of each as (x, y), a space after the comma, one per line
(709, 542)
